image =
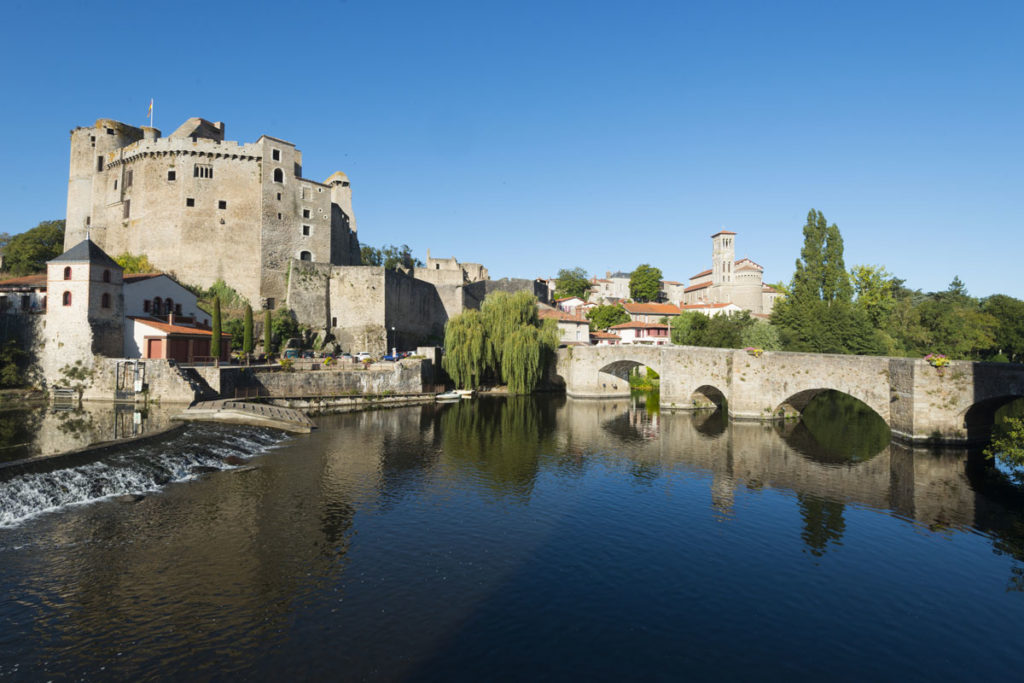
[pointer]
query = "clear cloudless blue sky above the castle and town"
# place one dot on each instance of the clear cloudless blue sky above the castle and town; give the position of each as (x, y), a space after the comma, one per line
(531, 137)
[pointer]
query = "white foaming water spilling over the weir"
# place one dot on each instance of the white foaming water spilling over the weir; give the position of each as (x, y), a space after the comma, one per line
(133, 469)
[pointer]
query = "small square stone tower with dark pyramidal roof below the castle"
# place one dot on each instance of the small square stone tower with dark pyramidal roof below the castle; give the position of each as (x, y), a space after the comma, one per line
(86, 308)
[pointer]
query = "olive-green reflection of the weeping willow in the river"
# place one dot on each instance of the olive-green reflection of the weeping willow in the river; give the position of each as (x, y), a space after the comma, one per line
(500, 440)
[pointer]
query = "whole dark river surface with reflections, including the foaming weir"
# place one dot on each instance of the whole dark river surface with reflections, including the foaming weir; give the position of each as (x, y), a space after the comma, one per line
(511, 540)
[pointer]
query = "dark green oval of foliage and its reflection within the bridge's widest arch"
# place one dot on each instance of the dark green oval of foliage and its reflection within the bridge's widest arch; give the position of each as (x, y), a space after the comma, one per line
(836, 429)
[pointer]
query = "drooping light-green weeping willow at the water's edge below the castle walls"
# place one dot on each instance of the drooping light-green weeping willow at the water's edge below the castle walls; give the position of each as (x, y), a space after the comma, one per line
(504, 340)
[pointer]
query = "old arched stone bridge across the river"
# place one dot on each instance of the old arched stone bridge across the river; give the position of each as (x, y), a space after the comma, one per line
(921, 404)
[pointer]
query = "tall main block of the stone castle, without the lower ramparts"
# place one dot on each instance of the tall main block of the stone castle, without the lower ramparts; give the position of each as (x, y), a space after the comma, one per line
(207, 209)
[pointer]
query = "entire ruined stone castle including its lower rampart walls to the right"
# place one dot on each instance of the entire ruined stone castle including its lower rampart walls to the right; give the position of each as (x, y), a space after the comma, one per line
(205, 209)
